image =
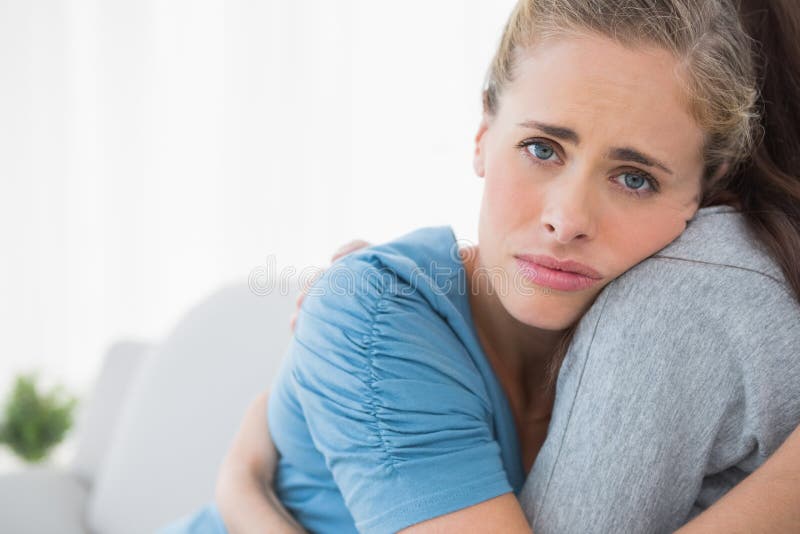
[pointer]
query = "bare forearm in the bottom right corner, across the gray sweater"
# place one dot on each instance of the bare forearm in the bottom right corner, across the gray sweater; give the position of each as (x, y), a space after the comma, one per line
(766, 501)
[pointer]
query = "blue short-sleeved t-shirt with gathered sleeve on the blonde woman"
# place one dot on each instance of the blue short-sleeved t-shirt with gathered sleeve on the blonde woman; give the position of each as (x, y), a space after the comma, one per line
(386, 411)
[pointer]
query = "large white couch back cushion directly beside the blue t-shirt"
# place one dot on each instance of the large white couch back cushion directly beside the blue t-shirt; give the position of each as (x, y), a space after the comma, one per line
(185, 406)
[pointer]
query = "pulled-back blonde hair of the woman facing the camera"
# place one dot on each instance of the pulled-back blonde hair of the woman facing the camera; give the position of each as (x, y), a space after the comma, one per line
(706, 37)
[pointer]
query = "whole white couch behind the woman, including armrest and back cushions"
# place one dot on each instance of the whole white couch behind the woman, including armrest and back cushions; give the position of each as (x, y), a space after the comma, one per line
(158, 423)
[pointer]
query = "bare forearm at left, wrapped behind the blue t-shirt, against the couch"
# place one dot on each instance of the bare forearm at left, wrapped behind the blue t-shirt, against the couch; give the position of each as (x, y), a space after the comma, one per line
(244, 487)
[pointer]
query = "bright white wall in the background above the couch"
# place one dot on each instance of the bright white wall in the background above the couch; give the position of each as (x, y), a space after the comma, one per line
(152, 150)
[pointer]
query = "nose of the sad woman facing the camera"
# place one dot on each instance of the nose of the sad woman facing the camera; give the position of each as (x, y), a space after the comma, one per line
(567, 213)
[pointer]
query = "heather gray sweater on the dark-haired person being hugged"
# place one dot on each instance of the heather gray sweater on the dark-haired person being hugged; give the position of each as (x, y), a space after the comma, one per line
(682, 378)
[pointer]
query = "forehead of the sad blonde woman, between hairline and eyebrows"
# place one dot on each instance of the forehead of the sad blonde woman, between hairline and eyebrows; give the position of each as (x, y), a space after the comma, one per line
(607, 93)
